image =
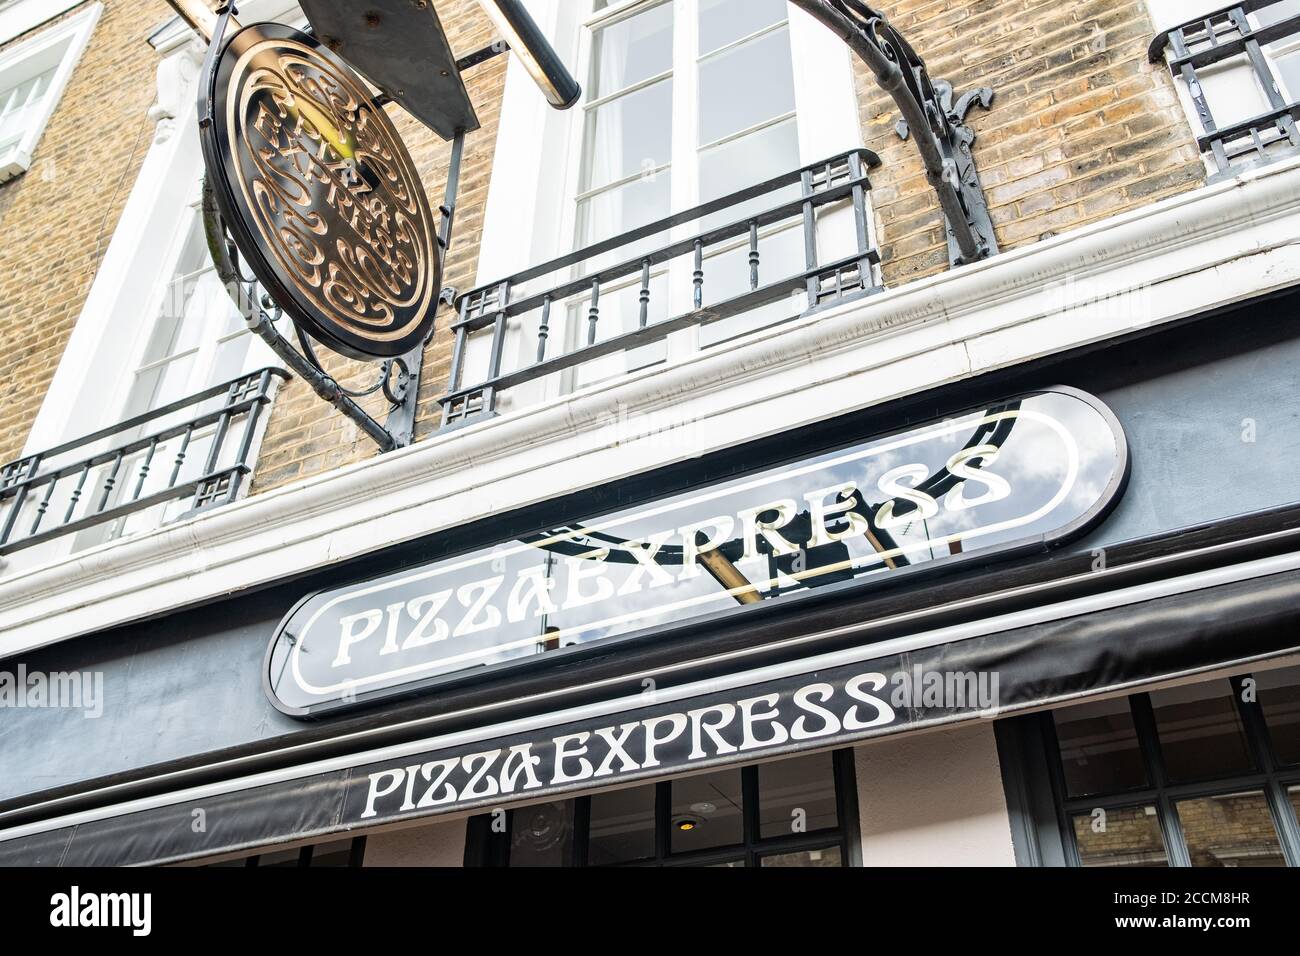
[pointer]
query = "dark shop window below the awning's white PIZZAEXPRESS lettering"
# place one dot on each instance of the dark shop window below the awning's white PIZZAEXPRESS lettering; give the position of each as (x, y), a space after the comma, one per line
(795, 812)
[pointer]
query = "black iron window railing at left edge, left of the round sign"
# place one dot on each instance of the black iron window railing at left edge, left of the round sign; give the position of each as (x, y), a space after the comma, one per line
(196, 449)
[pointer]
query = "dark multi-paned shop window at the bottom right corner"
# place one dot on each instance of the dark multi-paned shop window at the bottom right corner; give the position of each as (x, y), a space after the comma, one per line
(1203, 775)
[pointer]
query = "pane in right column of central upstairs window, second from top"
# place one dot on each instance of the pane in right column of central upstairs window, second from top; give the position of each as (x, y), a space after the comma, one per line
(746, 86)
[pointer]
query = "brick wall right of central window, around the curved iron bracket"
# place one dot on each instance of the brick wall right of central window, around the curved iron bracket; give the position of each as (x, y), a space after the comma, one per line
(1082, 127)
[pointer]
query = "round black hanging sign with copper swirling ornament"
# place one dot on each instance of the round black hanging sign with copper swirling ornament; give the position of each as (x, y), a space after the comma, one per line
(320, 194)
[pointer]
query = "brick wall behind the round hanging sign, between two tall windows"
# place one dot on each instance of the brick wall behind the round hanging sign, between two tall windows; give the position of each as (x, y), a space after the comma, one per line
(306, 436)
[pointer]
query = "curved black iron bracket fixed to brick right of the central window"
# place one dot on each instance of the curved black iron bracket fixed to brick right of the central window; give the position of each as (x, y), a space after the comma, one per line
(931, 115)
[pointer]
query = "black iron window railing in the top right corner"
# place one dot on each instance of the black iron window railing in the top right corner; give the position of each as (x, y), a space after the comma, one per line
(1224, 36)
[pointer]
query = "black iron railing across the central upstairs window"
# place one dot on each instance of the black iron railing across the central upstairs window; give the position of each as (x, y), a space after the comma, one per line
(492, 310)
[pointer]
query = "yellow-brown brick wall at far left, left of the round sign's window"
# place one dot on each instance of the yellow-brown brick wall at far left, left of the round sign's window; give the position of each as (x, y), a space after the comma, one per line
(57, 220)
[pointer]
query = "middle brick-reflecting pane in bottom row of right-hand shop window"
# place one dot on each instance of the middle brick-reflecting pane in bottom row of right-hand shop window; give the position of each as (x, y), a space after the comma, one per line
(1234, 830)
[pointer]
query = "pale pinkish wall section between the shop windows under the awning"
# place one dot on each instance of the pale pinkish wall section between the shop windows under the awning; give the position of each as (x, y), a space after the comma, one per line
(934, 801)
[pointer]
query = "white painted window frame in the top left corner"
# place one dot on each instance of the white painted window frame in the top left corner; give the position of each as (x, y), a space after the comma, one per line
(67, 42)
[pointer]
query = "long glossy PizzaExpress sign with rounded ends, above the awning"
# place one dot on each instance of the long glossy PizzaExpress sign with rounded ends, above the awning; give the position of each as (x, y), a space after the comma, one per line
(1035, 470)
